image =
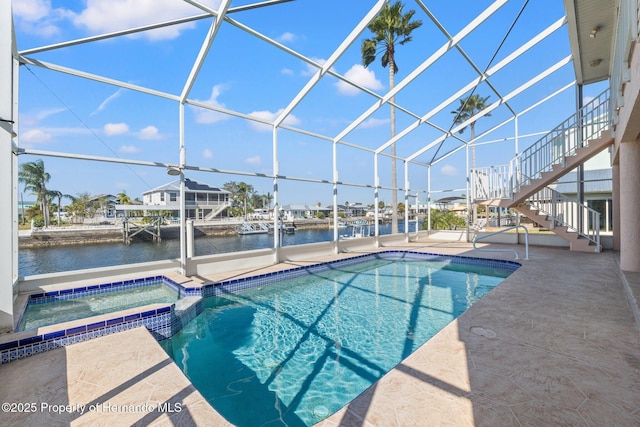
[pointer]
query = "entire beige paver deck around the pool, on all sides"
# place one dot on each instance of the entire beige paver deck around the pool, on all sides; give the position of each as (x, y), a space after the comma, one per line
(555, 344)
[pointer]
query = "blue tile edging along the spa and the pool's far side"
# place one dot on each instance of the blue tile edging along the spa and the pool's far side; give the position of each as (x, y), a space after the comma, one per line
(164, 320)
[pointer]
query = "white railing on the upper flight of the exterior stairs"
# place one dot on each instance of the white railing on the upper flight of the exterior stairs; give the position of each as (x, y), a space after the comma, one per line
(587, 123)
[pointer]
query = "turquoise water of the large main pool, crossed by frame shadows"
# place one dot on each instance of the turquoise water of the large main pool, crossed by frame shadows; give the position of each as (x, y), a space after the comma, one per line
(292, 353)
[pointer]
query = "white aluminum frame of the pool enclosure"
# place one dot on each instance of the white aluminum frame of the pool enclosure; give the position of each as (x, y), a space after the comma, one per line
(223, 16)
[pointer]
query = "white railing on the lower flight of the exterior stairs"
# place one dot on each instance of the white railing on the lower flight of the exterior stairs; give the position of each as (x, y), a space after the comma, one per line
(565, 212)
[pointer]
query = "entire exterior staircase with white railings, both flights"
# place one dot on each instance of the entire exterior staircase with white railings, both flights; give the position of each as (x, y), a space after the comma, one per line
(523, 183)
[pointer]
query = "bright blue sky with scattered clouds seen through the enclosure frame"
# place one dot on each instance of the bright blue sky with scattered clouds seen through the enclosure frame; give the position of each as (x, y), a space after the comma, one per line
(247, 75)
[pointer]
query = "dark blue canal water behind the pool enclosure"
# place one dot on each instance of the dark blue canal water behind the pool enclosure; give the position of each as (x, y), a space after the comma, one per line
(64, 258)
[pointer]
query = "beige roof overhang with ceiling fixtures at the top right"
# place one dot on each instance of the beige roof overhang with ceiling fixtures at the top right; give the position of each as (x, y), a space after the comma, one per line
(591, 29)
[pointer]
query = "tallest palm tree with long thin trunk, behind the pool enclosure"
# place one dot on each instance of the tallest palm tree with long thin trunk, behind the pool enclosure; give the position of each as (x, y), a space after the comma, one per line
(390, 27)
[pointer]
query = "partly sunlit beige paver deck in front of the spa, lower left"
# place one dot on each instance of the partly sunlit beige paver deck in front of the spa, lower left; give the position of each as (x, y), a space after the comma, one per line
(116, 380)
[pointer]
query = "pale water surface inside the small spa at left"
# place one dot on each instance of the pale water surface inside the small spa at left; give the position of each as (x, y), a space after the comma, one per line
(63, 310)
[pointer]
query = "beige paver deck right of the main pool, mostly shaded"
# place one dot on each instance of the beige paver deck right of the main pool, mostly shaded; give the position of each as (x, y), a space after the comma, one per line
(555, 344)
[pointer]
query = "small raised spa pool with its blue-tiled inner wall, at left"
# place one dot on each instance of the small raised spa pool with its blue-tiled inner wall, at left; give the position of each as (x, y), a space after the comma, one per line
(54, 307)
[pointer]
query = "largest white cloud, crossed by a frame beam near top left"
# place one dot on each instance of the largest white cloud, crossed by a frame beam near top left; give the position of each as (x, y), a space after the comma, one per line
(103, 16)
